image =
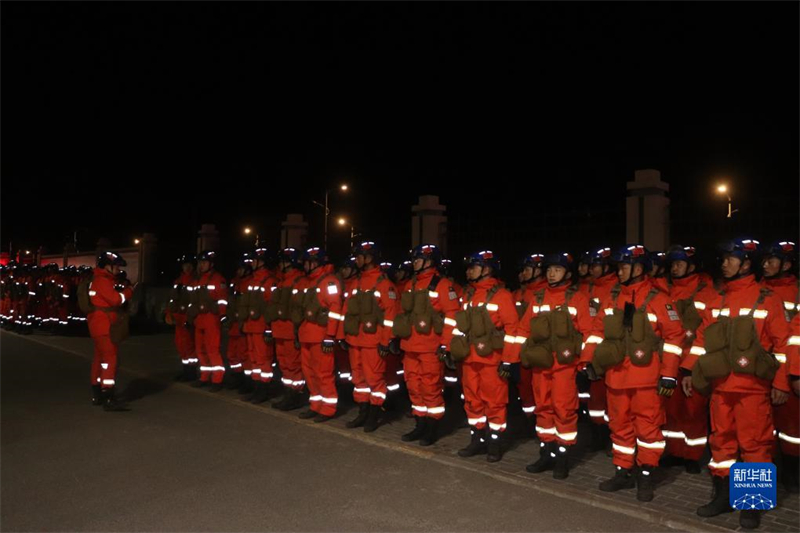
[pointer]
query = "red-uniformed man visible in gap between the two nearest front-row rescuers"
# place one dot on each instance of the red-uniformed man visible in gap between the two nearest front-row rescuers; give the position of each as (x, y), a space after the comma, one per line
(686, 430)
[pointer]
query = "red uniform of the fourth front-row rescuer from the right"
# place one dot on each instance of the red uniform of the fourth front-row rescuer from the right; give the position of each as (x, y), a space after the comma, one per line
(485, 392)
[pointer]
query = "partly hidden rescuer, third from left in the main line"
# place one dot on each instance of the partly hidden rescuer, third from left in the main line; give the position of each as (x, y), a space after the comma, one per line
(236, 311)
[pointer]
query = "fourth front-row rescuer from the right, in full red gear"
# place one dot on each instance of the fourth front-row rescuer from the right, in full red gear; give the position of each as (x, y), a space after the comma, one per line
(485, 344)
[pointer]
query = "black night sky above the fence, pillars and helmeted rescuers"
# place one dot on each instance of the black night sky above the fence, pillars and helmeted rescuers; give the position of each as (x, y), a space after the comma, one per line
(129, 117)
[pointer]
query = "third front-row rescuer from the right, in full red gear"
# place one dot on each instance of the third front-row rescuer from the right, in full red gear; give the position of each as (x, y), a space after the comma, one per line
(552, 333)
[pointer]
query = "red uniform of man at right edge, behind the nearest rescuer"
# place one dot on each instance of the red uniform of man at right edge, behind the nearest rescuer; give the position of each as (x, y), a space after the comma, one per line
(787, 416)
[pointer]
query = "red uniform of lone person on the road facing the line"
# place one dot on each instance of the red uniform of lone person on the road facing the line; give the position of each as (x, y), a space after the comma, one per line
(106, 299)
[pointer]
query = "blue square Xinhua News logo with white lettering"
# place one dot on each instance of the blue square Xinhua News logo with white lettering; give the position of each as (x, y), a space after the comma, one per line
(753, 486)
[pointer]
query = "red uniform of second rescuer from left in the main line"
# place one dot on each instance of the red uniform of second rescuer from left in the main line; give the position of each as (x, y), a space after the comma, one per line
(207, 326)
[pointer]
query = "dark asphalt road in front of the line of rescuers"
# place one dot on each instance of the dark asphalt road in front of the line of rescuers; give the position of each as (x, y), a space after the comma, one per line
(187, 461)
